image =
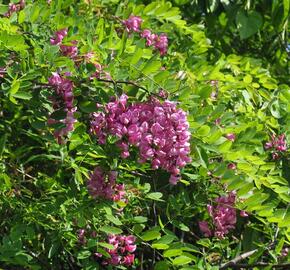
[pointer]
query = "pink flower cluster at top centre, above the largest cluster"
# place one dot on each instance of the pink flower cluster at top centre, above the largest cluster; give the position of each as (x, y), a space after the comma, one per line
(160, 42)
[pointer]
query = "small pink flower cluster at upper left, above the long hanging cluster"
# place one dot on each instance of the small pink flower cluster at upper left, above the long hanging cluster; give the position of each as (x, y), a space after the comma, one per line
(67, 50)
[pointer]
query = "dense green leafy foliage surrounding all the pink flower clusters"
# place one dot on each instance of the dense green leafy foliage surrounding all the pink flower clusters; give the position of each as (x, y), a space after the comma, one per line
(238, 50)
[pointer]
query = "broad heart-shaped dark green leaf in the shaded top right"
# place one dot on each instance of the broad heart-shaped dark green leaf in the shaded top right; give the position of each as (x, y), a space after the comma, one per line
(248, 24)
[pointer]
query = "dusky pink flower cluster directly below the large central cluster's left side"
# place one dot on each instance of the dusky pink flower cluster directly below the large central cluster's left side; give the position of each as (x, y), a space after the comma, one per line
(104, 185)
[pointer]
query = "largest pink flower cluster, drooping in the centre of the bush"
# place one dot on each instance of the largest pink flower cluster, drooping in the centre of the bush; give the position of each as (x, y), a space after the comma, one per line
(159, 130)
